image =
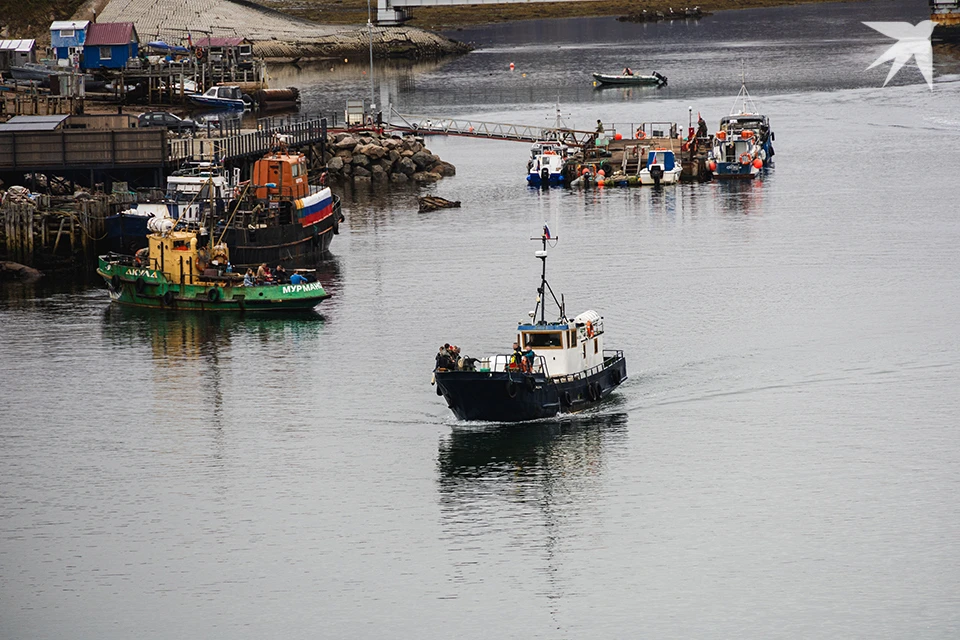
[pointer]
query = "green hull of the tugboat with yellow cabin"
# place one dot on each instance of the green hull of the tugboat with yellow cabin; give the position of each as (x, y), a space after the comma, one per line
(148, 288)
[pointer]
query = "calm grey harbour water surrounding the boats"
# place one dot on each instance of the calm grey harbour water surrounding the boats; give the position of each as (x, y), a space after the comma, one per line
(781, 463)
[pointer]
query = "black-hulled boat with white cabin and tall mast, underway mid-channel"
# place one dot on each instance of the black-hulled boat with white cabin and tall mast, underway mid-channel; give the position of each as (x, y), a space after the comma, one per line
(556, 367)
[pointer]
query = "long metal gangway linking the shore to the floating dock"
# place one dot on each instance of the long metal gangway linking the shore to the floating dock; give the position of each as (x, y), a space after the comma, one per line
(421, 125)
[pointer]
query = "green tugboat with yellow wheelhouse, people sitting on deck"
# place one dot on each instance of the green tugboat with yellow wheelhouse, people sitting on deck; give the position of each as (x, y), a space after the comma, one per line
(178, 272)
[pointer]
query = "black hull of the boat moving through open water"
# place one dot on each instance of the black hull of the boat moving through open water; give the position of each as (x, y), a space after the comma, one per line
(501, 396)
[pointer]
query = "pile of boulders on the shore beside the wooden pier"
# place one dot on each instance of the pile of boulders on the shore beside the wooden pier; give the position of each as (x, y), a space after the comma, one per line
(372, 157)
